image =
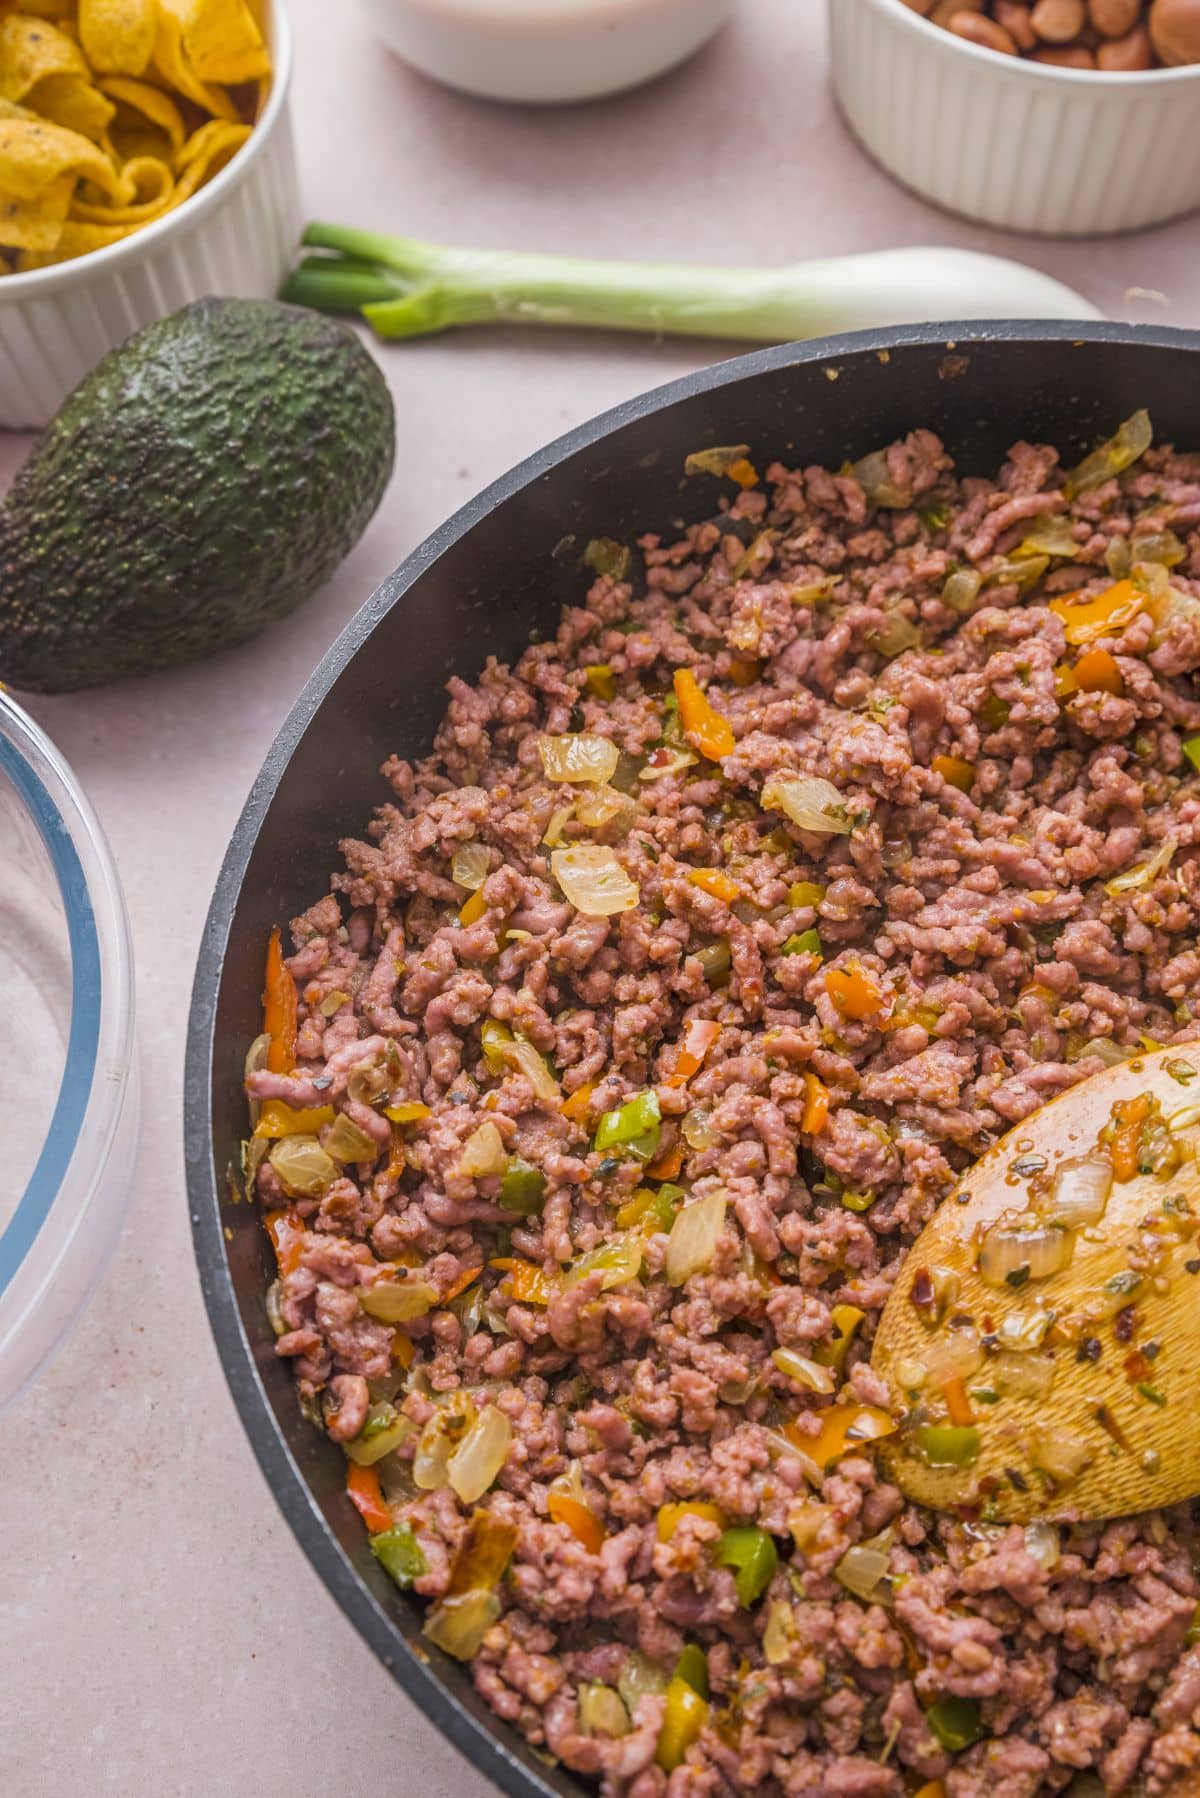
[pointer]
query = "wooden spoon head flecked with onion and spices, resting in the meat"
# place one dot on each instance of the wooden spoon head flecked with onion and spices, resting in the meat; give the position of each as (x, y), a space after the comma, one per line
(1043, 1340)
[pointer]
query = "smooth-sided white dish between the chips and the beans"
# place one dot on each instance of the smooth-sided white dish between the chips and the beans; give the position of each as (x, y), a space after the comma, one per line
(546, 51)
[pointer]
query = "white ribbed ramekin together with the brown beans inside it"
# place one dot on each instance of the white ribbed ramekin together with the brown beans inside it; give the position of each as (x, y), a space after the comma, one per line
(1073, 118)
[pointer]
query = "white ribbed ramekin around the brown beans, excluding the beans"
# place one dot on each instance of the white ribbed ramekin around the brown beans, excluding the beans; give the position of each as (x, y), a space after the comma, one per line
(1008, 141)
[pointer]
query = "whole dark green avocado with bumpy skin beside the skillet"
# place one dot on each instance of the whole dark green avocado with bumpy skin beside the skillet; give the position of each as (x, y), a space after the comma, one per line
(197, 486)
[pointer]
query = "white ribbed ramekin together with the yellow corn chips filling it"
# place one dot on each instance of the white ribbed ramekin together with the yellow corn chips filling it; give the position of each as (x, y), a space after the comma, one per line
(147, 161)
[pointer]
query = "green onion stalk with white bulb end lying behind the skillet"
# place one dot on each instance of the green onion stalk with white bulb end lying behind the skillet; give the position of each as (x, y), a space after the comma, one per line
(409, 289)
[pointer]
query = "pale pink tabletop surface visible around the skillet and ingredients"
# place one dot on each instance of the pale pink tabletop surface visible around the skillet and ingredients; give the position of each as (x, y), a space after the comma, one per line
(159, 1630)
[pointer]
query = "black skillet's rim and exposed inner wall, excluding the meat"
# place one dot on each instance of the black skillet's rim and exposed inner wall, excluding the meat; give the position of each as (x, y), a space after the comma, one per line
(494, 578)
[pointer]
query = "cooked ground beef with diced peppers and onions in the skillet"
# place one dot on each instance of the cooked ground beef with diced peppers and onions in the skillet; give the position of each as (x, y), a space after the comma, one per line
(971, 959)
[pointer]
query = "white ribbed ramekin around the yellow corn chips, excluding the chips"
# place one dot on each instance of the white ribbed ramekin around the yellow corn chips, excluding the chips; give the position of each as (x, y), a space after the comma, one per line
(235, 238)
